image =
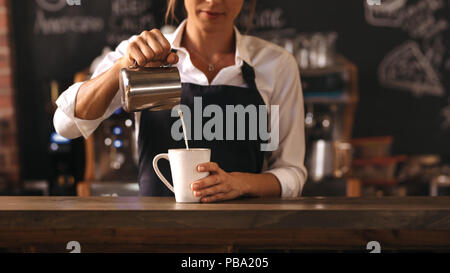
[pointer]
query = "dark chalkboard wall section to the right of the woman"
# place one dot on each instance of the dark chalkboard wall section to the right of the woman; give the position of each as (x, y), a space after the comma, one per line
(401, 48)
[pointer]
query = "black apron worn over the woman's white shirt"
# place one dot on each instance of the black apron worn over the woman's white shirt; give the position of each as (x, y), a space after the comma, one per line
(231, 155)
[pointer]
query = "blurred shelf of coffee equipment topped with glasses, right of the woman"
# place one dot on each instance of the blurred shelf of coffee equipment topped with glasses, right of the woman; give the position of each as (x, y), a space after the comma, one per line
(330, 90)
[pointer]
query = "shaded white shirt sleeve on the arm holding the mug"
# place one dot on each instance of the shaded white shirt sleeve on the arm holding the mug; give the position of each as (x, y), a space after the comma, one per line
(287, 162)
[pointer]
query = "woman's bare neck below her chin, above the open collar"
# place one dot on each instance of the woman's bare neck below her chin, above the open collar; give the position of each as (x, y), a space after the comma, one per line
(210, 44)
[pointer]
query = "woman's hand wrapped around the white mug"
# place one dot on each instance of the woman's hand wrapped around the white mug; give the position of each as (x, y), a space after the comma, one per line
(219, 185)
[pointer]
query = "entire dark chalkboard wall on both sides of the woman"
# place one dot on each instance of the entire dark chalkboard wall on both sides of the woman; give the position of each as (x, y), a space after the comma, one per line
(400, 48)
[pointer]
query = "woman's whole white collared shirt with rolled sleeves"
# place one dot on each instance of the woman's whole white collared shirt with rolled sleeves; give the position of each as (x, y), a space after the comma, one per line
(277, 79)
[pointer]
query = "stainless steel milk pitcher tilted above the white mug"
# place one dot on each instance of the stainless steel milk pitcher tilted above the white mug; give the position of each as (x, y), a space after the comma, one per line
(152, 88)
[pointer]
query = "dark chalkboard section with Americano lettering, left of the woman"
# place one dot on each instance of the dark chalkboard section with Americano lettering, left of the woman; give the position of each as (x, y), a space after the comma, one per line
(53, 41)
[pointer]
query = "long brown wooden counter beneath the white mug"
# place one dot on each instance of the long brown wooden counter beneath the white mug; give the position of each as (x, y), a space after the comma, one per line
(136, 224)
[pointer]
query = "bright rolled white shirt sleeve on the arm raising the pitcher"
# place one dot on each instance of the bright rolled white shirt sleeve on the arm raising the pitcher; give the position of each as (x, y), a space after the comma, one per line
(64, 120)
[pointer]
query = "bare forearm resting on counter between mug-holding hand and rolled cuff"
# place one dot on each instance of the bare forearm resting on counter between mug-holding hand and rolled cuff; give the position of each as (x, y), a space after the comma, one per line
(261, 185)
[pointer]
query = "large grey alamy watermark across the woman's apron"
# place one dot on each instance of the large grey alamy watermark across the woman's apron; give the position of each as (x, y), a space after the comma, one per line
(213, 129)
